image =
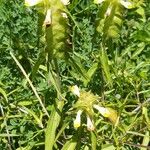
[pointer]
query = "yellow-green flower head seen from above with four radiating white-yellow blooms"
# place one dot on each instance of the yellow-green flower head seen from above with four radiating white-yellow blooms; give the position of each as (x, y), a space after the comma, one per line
(85, 103)
